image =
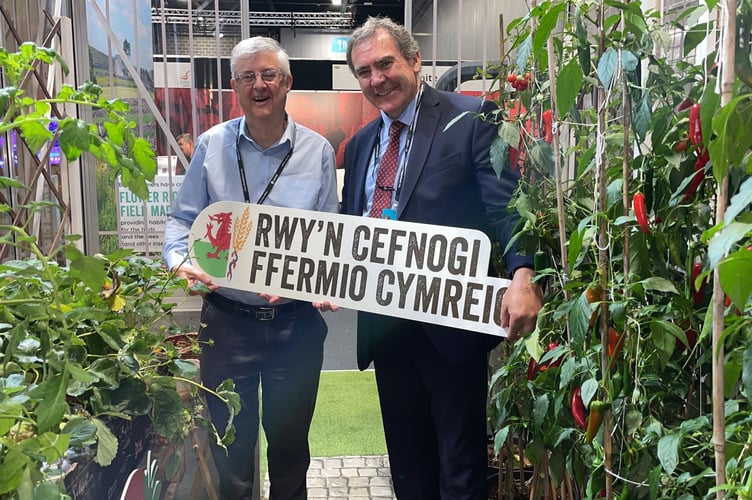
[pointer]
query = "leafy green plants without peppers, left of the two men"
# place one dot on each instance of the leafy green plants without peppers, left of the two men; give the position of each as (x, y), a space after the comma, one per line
(82, 338)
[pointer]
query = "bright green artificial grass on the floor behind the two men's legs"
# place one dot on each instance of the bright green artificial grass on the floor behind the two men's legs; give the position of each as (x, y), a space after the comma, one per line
(347, 419)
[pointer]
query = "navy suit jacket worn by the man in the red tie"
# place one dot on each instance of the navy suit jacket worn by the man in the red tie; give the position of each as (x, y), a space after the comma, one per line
(448, 181)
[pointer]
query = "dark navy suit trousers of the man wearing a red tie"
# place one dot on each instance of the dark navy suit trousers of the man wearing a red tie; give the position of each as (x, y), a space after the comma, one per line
(434, 413)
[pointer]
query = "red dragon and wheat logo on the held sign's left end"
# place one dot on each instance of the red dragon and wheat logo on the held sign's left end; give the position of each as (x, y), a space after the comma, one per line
(217, 251)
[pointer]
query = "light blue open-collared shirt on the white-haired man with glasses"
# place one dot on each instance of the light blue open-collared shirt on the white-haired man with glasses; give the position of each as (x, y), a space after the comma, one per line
(307, 182)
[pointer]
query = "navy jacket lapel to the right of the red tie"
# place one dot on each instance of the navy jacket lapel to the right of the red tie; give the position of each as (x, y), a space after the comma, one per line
(425, 132)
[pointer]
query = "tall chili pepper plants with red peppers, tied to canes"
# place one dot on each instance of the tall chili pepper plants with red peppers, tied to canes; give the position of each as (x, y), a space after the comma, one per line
(626, 156)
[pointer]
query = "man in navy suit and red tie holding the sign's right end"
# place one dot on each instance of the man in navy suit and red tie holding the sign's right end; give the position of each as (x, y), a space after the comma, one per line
(432, 380)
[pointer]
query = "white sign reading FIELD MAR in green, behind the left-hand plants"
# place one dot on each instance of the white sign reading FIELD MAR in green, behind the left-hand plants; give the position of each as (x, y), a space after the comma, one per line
(144, 220)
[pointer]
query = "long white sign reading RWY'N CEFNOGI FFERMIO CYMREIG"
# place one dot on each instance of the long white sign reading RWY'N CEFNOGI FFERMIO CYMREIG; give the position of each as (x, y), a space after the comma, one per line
(423, 272)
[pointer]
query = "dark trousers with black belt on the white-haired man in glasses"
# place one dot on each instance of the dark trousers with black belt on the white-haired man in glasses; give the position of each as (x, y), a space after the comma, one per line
(284, 355)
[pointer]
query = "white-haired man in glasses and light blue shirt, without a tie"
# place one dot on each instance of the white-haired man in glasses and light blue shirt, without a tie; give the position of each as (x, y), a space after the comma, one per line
(265, 158)
